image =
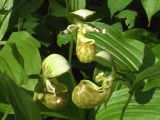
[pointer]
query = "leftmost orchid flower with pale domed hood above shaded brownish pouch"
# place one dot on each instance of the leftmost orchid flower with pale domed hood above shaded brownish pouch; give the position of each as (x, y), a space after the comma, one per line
(53, 94)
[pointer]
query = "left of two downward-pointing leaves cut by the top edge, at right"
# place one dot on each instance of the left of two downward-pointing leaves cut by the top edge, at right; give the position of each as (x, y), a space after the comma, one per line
(117, 5)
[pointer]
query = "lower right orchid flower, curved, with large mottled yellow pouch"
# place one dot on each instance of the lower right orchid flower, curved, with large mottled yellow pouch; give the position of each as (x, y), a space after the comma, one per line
(89, 95)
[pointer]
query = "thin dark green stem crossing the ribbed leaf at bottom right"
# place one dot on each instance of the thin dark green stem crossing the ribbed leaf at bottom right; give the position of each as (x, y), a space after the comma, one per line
(126, 104)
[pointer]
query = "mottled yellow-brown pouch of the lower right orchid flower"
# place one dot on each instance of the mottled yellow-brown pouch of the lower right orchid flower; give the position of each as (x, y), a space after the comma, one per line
(88, 95)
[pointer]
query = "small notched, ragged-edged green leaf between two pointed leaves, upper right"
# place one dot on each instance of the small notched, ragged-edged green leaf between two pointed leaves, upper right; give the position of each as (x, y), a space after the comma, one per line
(129, 16)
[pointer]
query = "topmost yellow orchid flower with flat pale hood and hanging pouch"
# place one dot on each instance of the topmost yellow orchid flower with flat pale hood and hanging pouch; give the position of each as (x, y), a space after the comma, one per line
(85, 47)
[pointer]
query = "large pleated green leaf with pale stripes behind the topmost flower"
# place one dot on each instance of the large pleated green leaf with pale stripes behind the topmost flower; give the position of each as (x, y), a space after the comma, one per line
(126, 55)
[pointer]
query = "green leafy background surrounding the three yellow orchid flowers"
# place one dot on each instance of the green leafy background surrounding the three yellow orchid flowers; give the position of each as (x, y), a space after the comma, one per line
(30, 30)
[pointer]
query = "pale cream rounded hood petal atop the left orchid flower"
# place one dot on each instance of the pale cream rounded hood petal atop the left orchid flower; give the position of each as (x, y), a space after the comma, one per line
(54, 65)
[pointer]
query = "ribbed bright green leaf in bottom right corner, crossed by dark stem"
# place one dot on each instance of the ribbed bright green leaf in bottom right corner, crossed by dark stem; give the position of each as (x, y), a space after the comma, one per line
(134, 111)
